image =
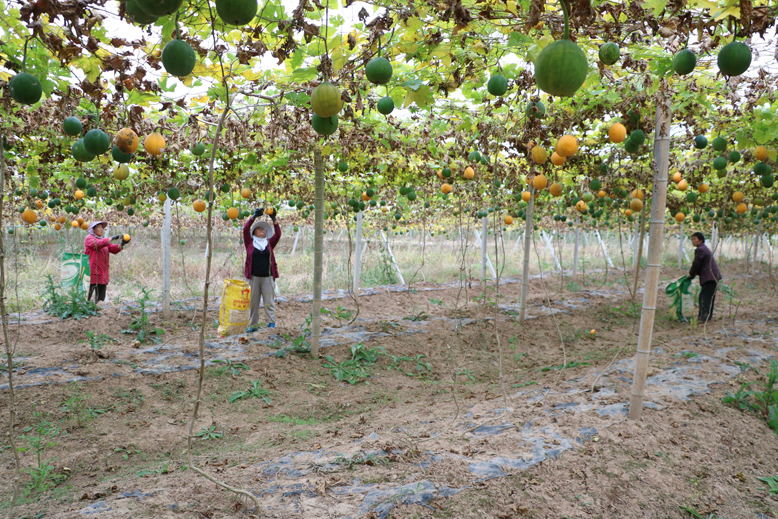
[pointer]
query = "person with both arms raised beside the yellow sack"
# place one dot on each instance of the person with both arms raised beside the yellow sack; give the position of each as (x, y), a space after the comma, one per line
(260, 238)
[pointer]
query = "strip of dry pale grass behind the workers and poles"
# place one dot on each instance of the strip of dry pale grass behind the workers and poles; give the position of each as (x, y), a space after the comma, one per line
(33, 254)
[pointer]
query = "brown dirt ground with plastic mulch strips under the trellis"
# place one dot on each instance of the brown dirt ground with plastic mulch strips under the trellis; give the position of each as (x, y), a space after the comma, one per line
(484, 383)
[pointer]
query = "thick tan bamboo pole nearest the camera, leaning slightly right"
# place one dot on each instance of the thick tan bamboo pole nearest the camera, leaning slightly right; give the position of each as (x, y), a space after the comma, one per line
(656, 235)
